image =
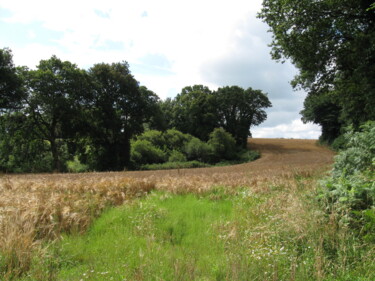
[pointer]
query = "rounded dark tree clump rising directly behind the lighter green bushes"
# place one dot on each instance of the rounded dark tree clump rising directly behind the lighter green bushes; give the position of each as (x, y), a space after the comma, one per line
(198, 111)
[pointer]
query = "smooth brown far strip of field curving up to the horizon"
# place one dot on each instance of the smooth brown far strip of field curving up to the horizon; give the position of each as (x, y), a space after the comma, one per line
(278, 157)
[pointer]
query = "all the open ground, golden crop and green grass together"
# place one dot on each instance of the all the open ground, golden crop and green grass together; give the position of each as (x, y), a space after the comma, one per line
(253, 221)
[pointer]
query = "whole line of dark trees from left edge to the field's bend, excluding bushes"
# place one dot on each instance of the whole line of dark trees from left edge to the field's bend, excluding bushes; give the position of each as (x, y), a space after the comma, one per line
(58, 112)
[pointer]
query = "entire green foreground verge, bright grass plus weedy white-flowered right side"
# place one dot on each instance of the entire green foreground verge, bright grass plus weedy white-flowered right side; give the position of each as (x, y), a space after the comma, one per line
(223, 234)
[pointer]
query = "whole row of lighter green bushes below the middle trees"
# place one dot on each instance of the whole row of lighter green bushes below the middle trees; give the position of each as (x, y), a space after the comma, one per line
(172, 146)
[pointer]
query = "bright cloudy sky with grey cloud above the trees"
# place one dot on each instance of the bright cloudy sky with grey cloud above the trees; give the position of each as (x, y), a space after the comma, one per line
(169, 44)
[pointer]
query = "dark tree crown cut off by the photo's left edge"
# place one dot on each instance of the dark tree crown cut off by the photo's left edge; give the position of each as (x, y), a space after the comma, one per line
(10, 83)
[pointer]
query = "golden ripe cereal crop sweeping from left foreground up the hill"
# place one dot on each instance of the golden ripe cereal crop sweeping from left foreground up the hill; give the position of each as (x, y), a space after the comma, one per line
(38, 207)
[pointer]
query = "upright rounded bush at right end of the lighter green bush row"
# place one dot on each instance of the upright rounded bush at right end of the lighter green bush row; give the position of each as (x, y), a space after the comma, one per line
(223, 144)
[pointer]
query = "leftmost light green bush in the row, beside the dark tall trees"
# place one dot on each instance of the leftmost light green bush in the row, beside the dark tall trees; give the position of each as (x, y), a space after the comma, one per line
(143, 152)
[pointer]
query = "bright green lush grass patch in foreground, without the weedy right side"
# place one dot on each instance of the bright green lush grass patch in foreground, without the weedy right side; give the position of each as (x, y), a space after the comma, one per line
(164, 236)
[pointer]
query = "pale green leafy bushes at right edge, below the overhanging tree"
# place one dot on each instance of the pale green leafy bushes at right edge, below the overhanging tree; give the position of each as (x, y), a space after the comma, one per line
(350, 190)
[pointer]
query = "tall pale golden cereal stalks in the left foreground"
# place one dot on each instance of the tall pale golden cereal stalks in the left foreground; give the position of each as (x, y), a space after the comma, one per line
(34, 212)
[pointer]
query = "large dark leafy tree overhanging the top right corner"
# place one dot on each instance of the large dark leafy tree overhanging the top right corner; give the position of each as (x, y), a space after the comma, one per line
(331, 43)
